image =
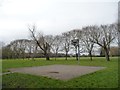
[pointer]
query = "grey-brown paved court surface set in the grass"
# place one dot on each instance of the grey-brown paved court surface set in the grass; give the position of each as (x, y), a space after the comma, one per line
(63, 72)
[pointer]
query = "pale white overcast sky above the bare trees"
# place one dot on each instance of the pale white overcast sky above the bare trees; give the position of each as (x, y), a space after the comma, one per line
(52, 16)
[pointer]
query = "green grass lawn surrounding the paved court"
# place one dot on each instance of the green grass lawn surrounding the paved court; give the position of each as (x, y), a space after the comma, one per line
(100, 79)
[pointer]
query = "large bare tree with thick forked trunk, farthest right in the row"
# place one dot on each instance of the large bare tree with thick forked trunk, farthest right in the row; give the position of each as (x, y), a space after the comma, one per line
(103, 36)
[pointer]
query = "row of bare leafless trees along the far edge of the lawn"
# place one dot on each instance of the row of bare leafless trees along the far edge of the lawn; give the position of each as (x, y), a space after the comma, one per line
(49, 45)
